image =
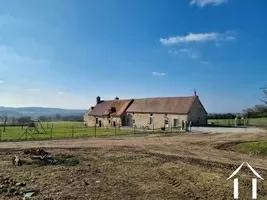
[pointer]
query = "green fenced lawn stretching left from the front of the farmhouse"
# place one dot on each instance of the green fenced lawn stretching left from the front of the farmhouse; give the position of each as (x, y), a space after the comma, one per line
(56, 130)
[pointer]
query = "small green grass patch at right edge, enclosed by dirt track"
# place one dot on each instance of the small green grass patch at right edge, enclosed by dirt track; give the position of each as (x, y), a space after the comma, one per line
(257, 148)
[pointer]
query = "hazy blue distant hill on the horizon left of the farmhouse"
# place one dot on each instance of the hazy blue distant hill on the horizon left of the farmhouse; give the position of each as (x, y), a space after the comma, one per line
(38, 111)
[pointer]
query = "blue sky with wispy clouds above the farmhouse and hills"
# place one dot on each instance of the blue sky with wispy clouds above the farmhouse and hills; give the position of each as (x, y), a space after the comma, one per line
(64, 53)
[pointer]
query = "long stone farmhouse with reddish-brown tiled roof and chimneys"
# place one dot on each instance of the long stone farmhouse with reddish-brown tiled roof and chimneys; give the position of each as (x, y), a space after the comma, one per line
(147, 112)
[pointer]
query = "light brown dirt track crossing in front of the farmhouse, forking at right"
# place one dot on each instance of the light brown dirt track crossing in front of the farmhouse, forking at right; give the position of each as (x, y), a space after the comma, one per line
(184, 145)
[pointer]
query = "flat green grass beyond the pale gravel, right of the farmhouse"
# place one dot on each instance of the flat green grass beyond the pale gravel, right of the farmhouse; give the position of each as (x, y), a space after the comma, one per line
(231, 122)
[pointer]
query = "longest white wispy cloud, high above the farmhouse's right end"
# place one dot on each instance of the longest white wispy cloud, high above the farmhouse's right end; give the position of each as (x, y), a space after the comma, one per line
(199, 37)
